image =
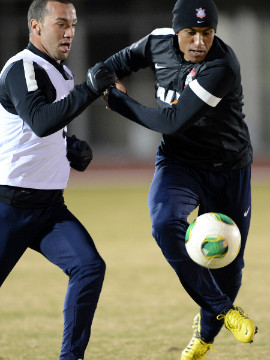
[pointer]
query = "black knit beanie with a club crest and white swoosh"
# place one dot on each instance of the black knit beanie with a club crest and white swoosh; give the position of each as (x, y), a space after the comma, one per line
(194, 13)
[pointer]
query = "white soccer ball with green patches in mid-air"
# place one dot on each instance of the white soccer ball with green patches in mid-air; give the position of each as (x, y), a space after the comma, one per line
(213, 240)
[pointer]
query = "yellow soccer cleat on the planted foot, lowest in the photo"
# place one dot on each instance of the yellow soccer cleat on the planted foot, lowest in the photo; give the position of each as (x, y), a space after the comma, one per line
(197, 348)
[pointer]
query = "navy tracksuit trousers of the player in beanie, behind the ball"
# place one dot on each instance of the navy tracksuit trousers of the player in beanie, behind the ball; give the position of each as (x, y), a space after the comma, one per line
(175, 192)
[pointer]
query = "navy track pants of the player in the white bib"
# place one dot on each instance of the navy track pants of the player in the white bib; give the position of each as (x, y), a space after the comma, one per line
(57, 234)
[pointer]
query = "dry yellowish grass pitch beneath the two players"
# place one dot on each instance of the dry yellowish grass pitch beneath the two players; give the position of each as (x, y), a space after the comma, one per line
(143, 312)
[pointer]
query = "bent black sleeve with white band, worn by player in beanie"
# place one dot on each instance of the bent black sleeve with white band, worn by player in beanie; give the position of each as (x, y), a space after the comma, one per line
(197, 99)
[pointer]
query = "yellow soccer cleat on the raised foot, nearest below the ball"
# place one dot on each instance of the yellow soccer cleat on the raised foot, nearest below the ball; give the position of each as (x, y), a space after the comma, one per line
(239, 324)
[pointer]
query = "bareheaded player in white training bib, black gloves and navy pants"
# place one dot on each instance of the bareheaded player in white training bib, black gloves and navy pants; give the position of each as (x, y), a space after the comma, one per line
(37, 100)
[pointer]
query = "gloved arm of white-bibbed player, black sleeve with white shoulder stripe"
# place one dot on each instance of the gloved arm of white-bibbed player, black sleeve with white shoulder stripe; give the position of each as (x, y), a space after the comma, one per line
(31, 95)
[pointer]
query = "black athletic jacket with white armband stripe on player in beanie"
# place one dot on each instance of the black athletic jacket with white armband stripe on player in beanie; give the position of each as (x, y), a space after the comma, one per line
(199, 105)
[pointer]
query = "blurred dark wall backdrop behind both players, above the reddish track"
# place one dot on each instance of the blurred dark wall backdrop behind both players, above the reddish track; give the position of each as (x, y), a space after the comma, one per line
(106, 27)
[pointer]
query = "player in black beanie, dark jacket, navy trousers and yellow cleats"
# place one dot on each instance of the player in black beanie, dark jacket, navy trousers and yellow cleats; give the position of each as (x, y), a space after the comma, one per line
(204, 157)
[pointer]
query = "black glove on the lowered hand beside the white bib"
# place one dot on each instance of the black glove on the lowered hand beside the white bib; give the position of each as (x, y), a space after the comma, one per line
(79, 153)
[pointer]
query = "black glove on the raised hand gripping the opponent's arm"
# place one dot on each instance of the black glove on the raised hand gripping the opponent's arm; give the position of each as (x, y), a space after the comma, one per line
(99, 78)
